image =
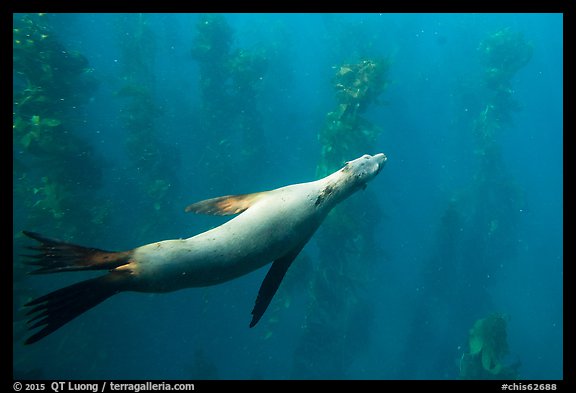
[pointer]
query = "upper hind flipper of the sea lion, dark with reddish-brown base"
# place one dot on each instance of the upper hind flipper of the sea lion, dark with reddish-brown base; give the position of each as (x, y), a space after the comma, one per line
(56, 256)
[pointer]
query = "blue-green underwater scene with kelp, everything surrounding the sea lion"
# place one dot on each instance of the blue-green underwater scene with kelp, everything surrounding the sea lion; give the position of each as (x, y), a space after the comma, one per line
(448, 266)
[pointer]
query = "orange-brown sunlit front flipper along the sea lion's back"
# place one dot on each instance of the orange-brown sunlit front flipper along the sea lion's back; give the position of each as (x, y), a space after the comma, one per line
(226, 205)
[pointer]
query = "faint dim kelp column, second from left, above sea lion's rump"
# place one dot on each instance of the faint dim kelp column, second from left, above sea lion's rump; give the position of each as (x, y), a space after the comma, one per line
(152, 159)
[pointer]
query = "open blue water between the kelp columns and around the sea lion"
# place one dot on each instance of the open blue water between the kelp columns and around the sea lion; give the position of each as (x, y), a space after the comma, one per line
(420, 307)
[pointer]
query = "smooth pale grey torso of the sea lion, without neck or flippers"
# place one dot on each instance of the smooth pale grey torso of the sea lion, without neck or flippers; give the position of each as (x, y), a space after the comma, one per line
(268, 230)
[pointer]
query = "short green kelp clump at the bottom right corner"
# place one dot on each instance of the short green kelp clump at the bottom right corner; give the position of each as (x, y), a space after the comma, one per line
(488, 347)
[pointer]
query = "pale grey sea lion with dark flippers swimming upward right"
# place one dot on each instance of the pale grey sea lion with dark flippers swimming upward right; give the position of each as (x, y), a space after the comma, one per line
(272, 226)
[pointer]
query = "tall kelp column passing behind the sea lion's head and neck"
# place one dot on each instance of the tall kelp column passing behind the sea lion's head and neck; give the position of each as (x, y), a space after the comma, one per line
(340, 317)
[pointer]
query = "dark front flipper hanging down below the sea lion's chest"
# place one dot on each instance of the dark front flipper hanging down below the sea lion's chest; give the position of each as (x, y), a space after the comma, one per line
(272, 282)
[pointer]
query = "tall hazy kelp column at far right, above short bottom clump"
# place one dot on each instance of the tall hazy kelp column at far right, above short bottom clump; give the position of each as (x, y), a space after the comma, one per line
(497, 204)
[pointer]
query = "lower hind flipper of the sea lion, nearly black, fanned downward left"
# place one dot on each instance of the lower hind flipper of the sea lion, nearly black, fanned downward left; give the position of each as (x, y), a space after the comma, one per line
(54, 310)
